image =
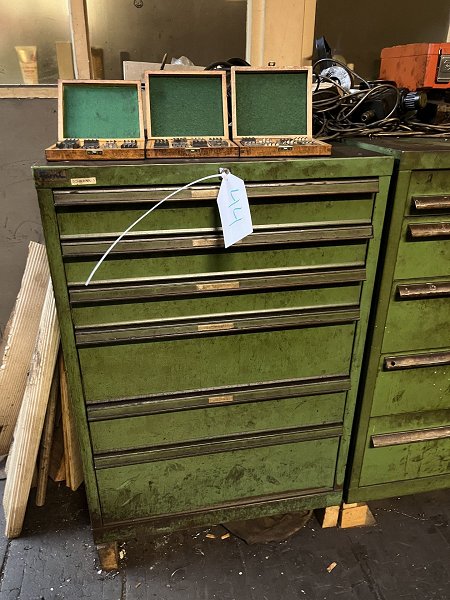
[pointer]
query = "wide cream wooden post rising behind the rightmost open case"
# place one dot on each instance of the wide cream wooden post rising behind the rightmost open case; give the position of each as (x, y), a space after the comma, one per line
(280, 31)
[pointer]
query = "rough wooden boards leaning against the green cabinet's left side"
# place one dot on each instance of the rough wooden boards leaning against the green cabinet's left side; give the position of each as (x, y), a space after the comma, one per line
(37, 427)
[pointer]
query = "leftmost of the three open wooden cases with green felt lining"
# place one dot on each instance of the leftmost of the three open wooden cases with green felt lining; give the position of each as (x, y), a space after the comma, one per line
(103, 120)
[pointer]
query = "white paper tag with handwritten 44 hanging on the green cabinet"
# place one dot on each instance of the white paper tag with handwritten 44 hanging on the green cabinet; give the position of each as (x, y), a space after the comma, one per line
(234, 209)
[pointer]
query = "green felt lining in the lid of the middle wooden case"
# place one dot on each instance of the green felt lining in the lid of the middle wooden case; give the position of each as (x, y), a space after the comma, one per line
(189, 106)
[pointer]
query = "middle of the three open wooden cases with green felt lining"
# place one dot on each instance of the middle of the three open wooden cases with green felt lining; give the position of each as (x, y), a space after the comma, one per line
(187, 115)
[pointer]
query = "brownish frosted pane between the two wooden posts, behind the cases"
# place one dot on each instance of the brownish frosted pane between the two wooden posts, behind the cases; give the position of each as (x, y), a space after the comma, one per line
(203, 30)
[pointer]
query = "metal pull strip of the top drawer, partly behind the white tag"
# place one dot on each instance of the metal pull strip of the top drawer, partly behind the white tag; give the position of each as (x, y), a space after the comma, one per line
(258, 190)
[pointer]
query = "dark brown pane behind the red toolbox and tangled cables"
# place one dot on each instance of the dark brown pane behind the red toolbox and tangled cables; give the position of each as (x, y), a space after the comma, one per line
(359, 30)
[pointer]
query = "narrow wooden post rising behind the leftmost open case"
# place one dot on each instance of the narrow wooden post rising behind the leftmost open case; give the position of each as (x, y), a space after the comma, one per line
(80, 39)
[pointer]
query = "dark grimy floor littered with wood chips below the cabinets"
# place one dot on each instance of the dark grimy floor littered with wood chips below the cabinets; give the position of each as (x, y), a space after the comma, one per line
(404, 557)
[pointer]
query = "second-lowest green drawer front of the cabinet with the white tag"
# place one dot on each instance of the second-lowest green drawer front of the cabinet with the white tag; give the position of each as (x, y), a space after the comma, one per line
(224, 419)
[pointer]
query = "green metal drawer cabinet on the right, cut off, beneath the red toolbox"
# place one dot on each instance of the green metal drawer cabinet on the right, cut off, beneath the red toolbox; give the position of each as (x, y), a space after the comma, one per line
(403, 435)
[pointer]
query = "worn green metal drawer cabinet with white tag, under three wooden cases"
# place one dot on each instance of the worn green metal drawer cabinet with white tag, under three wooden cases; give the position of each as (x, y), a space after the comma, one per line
(212, 384)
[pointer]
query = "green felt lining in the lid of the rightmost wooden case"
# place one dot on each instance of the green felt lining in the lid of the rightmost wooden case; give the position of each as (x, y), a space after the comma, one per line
(271, 103)
